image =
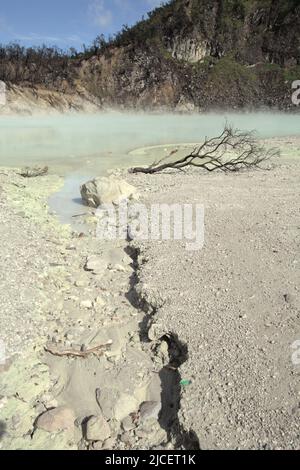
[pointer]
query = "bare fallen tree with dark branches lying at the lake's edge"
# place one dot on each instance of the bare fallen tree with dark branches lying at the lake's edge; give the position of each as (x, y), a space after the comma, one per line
(231, 151)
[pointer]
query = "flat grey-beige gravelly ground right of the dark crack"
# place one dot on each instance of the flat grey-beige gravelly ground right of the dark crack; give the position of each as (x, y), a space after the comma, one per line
(234, 304)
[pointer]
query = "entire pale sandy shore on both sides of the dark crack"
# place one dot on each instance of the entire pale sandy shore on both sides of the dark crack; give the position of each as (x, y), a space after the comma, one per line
(230, 309)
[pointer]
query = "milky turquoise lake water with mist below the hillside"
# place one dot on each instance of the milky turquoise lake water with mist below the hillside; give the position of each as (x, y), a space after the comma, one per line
(94, 143)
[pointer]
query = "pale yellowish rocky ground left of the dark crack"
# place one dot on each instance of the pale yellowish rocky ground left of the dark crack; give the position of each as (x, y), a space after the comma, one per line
(86, 286)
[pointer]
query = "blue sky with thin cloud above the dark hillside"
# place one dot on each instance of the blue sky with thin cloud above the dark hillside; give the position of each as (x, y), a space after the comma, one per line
(67, 23)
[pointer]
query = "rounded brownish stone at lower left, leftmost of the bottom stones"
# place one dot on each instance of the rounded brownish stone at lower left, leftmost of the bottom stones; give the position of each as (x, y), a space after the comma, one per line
(56, 420)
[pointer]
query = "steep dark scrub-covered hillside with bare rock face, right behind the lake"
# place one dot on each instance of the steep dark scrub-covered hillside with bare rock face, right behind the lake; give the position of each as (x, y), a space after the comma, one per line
(193, 54)
